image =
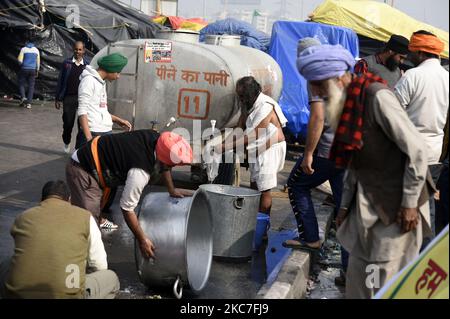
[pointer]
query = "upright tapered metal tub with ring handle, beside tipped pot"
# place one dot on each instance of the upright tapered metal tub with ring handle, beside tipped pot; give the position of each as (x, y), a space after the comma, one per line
(234, 211)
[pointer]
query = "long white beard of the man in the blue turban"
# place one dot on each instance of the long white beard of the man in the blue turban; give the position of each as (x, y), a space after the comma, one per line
(335, 104)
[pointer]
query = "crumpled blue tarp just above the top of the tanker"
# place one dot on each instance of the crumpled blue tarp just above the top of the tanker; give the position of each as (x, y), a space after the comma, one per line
(250, 37)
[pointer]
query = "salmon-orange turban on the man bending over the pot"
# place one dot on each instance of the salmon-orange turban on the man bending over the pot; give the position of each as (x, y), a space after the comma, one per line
(172, 149)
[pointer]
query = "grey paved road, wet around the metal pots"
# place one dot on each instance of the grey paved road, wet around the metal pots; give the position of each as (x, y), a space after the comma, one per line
(31, 153)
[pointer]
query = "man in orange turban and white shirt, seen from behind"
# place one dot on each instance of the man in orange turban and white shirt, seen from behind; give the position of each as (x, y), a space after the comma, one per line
(424, 93)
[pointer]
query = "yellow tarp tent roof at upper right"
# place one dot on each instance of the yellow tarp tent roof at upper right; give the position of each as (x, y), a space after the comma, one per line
(373, 19)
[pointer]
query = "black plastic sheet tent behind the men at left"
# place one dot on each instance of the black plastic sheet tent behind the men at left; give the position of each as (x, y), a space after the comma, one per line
(53, 30)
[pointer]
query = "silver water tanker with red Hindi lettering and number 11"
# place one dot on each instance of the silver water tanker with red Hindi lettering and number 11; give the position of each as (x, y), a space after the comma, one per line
(178, 77)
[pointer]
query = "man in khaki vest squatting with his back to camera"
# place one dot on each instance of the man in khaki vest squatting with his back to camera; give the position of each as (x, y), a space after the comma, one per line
(58, 252)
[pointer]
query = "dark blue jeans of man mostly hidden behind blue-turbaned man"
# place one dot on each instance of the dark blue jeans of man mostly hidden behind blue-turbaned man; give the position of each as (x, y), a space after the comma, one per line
(299, 188)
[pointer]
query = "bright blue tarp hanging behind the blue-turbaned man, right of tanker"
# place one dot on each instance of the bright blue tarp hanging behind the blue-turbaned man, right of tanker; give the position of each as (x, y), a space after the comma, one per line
(283, 48)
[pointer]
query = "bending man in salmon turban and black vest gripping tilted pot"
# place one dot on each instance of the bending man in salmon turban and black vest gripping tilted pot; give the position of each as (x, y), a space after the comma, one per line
(128, 159)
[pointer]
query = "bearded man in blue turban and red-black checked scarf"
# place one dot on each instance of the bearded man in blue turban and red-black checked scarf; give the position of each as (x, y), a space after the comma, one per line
(384, 212)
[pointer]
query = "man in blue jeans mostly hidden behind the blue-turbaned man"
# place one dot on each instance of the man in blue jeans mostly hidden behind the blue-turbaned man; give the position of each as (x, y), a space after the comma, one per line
(311, 170)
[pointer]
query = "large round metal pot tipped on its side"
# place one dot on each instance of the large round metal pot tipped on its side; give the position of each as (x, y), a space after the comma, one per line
(181, 230)
